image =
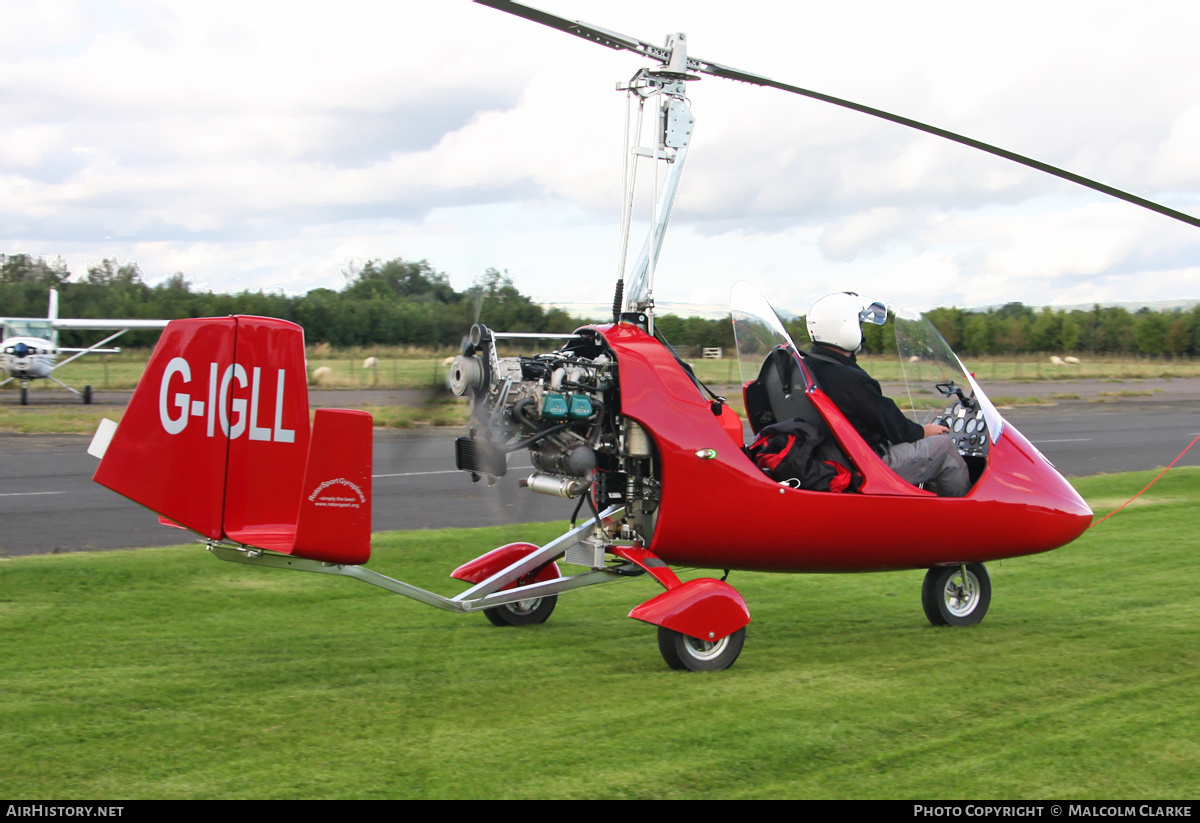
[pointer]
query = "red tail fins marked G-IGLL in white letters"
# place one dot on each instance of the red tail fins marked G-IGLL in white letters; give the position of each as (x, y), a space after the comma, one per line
(217, 438)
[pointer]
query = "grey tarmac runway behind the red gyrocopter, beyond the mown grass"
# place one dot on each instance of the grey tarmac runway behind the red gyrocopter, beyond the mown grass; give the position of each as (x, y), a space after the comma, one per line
(50, 503)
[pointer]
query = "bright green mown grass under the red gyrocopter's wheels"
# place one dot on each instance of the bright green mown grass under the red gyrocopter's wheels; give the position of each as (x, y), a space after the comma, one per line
(165, 674)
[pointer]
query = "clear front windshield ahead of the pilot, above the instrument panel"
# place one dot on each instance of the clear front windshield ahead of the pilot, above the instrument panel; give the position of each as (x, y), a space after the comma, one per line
(934, 375)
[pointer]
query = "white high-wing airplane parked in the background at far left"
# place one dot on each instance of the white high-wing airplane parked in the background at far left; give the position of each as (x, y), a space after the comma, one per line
(31, 346)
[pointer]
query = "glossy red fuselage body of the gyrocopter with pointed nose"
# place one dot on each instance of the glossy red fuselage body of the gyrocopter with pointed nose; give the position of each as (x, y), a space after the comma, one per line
(724, 513)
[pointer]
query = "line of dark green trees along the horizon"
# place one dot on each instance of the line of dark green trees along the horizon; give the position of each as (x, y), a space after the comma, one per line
(410, 303)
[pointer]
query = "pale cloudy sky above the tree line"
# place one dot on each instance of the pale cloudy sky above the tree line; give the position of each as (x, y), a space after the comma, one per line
(280, 146)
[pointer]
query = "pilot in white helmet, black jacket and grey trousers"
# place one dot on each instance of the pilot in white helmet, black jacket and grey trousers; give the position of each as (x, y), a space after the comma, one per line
(919, 454)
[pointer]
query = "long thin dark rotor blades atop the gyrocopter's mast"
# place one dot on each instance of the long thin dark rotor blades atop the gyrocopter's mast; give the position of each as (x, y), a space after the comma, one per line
(619, 41)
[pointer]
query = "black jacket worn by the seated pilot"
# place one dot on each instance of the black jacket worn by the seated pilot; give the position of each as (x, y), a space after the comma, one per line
(860, 398)
